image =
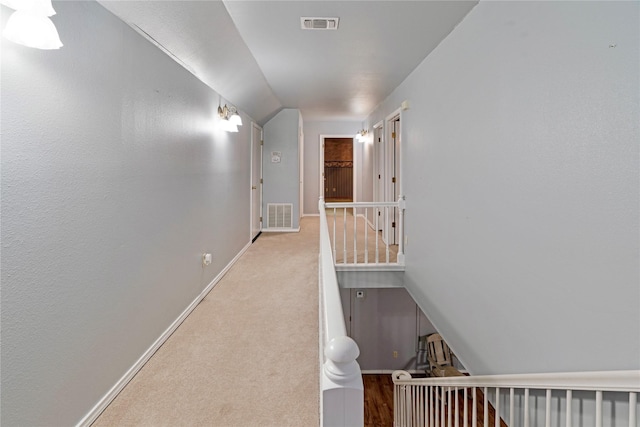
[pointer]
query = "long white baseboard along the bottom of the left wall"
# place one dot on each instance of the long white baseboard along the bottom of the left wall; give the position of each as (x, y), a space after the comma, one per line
(102, 404)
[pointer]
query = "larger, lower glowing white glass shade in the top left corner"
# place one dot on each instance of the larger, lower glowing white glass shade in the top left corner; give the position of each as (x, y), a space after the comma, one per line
(32, 31)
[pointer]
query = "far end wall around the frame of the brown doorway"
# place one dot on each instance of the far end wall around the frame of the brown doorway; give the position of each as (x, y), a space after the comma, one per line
(312, 132)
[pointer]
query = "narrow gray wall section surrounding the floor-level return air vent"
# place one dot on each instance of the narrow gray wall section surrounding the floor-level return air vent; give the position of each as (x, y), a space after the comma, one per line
(282, 180)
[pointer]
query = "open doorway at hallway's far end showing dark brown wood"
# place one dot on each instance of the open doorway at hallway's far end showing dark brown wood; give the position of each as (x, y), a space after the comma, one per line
(338, 169)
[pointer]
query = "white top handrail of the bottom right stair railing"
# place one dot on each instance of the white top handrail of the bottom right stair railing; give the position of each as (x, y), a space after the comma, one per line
(623, 381)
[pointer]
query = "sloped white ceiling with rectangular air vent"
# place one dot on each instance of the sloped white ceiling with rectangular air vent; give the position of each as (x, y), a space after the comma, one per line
(256, 56)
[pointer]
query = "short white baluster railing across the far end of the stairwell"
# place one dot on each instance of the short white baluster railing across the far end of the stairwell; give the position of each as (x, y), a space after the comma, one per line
(366, 234)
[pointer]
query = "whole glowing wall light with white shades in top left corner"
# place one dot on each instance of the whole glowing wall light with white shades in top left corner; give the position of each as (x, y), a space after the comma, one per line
(30, 25)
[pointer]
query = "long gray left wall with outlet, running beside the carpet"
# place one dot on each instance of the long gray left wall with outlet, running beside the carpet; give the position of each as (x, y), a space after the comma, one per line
(114, 181)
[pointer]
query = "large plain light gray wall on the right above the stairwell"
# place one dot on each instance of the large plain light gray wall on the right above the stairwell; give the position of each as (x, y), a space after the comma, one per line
(521, 176)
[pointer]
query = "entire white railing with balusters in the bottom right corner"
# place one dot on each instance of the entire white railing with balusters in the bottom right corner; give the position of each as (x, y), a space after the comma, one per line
(601, 399)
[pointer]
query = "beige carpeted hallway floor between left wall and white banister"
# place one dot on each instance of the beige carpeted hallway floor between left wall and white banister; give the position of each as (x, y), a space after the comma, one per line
(247, 355)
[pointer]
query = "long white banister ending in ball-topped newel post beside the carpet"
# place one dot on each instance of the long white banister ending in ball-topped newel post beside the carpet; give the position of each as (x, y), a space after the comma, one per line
(342, 390)
